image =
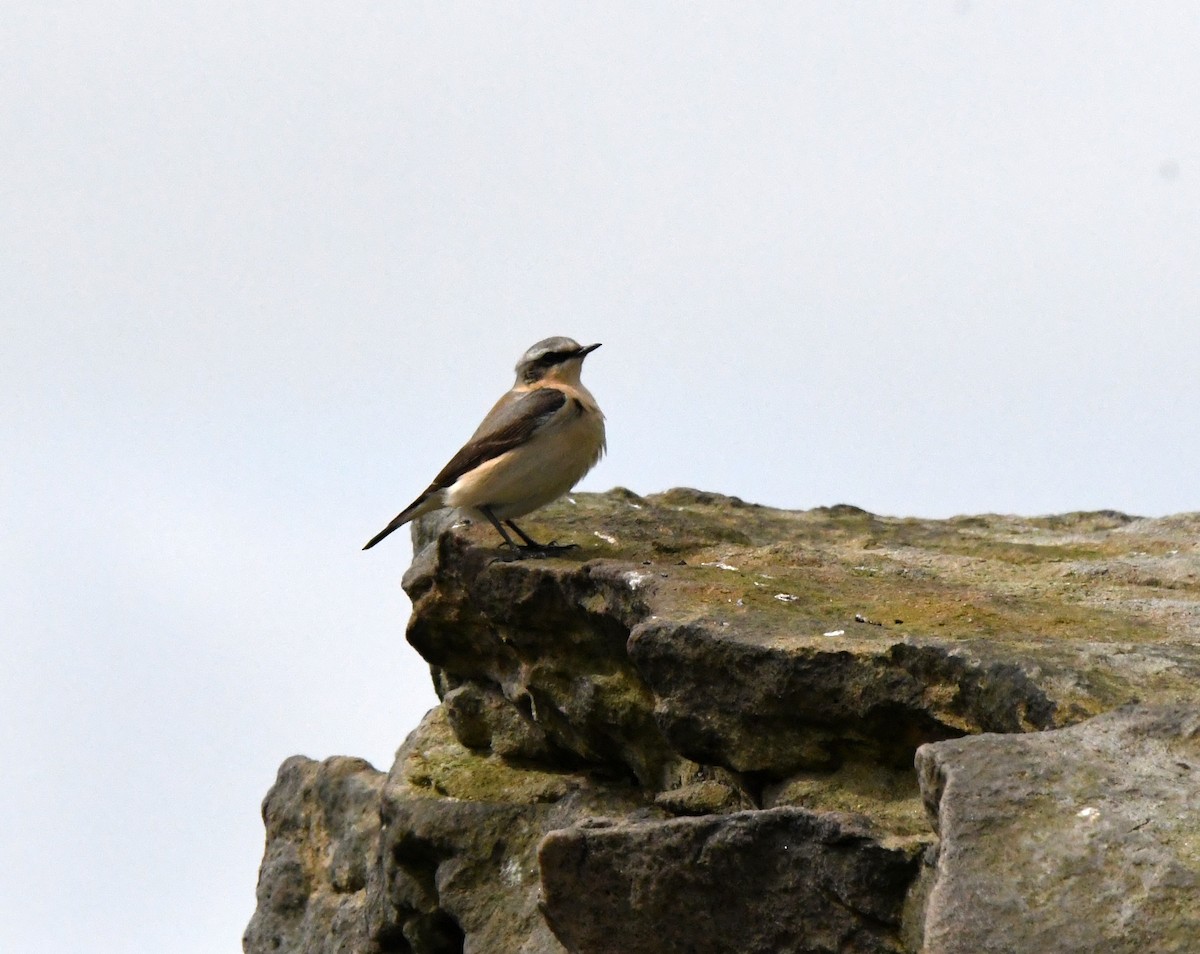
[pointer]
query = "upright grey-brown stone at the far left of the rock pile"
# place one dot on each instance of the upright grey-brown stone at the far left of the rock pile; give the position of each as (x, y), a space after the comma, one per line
(322, 838)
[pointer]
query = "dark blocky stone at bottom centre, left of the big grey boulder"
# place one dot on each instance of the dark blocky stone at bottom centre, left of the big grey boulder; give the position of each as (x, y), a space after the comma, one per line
(779, 881)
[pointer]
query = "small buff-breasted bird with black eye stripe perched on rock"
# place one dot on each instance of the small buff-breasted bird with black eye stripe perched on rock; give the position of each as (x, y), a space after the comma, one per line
(532, 448)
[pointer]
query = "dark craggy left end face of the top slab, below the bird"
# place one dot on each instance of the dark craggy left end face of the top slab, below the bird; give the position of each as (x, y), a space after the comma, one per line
(548, 638)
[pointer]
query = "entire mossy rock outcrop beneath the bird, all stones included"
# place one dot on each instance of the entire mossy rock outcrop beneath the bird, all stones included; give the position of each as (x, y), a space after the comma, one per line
(698, 733)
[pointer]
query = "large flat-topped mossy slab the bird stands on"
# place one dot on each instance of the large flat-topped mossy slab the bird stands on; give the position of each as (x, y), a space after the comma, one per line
(776, 643)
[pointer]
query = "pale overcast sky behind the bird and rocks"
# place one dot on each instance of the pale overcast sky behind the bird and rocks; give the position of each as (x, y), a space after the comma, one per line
(266, 265)
